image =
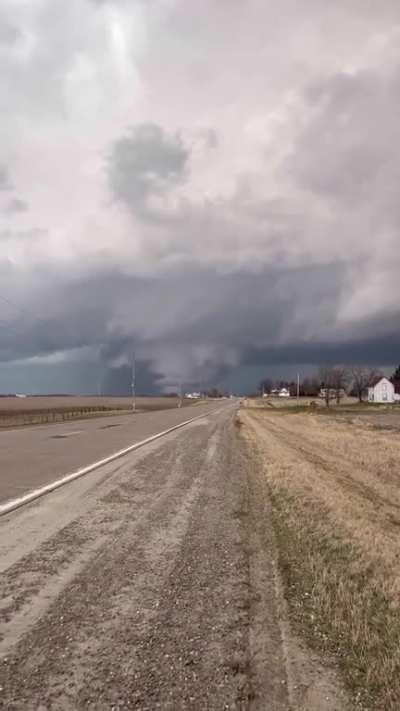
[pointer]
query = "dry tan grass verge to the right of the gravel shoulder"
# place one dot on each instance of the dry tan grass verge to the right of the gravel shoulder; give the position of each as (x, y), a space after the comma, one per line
(336, 507)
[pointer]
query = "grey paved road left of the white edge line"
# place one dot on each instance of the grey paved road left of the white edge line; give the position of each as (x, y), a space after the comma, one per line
(34, 456)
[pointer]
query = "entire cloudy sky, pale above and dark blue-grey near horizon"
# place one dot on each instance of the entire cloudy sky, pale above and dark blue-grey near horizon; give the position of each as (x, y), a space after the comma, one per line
(212, 185)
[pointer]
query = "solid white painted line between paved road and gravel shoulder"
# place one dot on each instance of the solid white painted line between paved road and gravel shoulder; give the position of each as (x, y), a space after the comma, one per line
(37, 493)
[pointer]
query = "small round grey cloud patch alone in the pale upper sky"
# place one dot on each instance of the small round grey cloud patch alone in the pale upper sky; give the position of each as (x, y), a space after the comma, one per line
(146, 161)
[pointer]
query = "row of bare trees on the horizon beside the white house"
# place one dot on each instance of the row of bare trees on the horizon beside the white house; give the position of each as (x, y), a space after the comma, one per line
(331, 382)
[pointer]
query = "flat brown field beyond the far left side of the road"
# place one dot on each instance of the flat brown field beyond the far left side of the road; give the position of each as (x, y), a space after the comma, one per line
(15, 411)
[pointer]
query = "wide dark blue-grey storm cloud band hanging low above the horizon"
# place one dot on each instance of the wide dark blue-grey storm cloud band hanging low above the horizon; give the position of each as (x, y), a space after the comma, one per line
(221, 318)
